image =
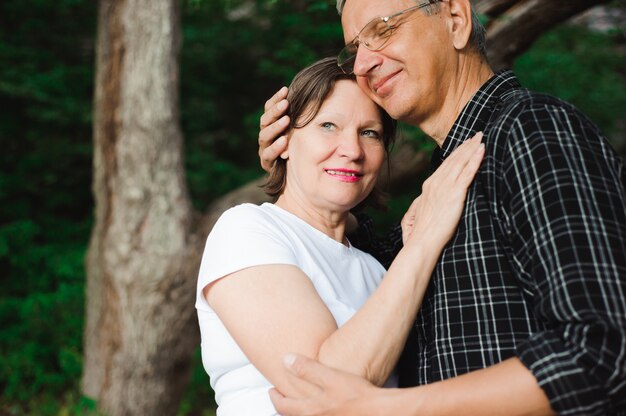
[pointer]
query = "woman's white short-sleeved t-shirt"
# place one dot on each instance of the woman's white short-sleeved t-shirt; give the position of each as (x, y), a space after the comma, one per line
(250, 235)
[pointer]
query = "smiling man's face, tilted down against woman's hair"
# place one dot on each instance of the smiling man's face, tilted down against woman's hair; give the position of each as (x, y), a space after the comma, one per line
(410, 76)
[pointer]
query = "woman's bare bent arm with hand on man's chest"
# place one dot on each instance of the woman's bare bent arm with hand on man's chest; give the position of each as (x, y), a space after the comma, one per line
(274, 309)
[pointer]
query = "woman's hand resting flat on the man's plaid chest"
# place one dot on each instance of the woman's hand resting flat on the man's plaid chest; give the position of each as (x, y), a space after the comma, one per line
(435, 214)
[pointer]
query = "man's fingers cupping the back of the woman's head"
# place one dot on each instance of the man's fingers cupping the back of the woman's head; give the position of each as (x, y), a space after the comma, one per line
(272, 125)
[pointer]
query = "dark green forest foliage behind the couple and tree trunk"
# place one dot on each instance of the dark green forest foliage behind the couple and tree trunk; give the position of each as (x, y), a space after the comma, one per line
(232, 59)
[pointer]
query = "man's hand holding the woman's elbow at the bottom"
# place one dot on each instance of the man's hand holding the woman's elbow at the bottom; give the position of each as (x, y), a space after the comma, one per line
(337, 392)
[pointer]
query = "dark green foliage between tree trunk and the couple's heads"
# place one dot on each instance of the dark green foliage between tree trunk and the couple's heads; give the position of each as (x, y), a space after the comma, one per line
(233, 59)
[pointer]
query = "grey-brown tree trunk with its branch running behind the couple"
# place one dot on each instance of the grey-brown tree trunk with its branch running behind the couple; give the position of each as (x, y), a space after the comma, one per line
(147, 241)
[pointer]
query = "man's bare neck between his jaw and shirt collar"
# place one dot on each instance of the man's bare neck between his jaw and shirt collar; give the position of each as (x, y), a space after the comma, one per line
(472, 74)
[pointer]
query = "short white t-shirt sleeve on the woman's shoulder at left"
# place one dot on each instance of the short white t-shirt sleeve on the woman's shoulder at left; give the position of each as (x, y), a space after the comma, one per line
(244, 236)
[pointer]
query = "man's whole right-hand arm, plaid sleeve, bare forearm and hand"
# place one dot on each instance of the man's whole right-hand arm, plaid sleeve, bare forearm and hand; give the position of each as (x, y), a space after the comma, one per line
(565, 211)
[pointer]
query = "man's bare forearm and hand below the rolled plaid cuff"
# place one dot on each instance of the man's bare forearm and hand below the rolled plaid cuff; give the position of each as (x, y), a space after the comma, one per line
(507, 388)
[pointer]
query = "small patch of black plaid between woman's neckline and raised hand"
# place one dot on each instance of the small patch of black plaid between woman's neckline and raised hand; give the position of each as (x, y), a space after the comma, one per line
(385, 248)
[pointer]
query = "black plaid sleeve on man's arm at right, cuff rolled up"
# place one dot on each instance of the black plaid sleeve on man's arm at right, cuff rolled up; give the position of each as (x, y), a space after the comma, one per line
(563, 207)
